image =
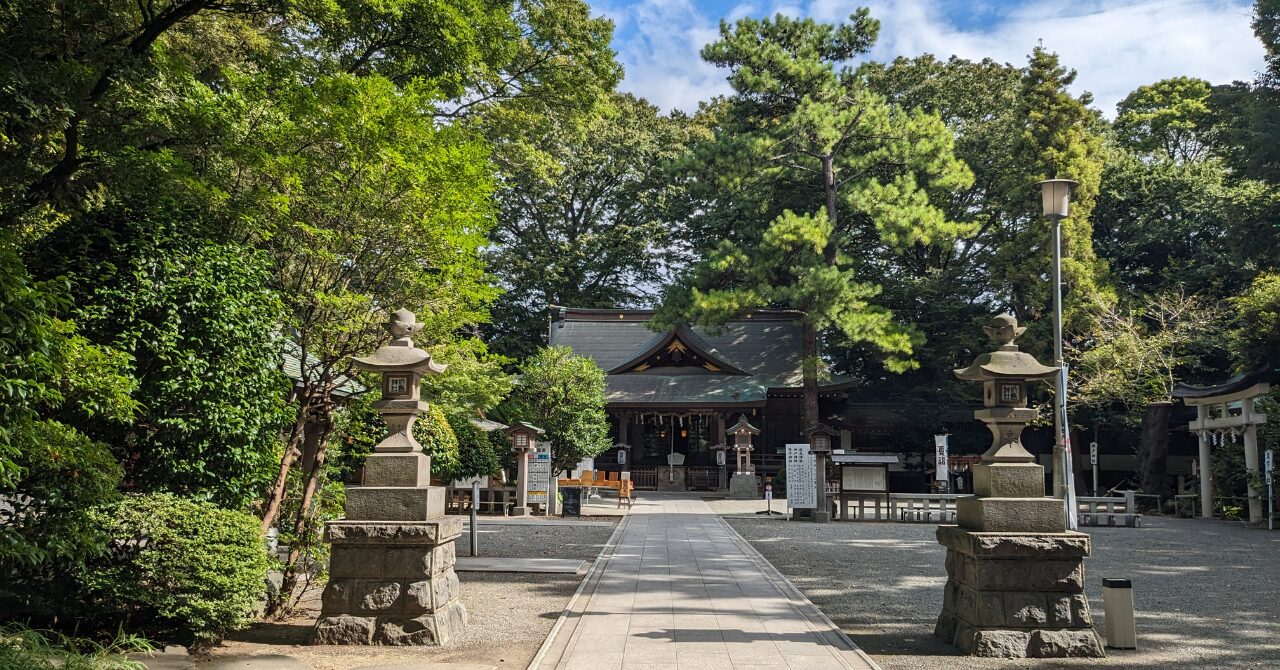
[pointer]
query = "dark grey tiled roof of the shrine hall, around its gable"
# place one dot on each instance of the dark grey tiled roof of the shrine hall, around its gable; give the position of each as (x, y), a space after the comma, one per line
(767, 347)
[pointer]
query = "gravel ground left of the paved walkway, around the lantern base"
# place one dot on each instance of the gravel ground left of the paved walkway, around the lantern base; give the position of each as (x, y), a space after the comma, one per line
(511, 614)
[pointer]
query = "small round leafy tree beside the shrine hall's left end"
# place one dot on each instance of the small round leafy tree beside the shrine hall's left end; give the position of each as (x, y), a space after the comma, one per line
(564, 395)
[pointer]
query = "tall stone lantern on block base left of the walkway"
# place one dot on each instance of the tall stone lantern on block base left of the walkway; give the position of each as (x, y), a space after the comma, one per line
(391, 568)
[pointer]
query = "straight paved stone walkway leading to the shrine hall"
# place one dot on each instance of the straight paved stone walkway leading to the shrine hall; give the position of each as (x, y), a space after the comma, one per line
(683, 591)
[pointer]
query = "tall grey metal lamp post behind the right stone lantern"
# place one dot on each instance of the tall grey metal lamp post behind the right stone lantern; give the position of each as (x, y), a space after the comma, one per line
(1055, 198)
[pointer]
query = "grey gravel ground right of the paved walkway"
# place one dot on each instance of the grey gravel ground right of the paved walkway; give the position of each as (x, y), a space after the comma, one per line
(1208, 594)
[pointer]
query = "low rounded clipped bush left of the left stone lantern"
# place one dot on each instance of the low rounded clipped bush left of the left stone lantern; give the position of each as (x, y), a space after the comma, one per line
(179, 571)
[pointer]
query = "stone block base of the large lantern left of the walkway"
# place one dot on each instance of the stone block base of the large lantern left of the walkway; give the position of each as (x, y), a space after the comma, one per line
(391, 584)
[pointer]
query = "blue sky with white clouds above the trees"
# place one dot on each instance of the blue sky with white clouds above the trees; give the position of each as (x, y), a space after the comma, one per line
(1116, 45)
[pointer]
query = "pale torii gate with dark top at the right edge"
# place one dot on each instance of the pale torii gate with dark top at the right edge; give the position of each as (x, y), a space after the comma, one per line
(1214, 417)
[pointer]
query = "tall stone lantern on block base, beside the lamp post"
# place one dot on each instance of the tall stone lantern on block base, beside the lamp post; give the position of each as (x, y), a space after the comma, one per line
(1016, 576)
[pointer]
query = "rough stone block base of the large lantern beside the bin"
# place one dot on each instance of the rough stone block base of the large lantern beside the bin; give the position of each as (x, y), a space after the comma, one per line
(1017, 595)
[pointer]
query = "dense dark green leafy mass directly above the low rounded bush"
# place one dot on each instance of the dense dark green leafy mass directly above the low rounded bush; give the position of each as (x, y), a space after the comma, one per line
(202, 327)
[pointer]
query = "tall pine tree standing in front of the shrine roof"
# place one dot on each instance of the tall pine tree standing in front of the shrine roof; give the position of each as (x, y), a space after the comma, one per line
(838, 171)
